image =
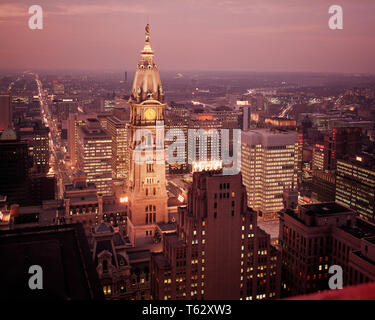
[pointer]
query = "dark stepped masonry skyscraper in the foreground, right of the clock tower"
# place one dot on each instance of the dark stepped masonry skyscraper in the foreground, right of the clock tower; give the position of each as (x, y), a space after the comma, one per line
(218, 252)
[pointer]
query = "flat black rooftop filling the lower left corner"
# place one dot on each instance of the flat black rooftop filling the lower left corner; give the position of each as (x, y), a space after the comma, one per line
(64, 256)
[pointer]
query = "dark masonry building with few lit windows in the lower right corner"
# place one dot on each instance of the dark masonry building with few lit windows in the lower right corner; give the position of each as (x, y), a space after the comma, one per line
(317, 236)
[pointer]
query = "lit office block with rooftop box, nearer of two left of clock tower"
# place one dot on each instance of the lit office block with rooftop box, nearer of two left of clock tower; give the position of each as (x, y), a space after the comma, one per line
(95, 155)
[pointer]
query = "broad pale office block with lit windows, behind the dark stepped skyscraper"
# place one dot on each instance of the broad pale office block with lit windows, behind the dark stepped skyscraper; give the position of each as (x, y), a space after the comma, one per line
(269, 160)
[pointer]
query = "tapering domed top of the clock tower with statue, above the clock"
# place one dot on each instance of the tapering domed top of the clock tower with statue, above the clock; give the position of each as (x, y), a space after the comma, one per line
(147, 84)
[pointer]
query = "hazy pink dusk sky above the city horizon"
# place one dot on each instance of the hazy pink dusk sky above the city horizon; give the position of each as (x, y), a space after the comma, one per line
(238, 35)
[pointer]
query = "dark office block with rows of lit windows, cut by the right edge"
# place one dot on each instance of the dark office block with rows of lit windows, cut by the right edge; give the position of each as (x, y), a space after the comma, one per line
(355, 185)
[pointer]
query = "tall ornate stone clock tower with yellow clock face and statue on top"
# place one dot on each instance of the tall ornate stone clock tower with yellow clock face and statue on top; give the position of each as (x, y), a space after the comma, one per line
(146, 185)
